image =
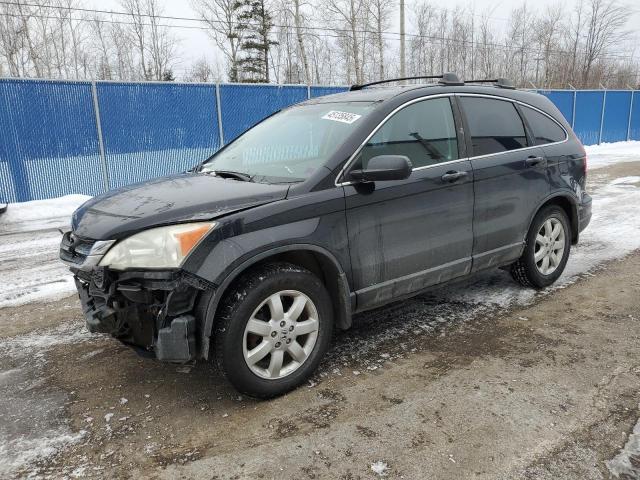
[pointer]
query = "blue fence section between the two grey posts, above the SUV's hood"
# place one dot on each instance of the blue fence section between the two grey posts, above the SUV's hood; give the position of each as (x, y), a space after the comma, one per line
(155, 129)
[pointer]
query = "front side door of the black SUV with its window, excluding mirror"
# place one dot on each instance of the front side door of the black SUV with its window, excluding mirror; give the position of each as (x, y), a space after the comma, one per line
(409, 234)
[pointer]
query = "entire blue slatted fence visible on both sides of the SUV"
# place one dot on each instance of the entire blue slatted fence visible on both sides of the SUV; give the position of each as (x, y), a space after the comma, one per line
(59, 137)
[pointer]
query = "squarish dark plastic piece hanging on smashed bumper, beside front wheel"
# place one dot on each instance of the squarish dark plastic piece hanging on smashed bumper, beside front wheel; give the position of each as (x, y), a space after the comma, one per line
(177, 342)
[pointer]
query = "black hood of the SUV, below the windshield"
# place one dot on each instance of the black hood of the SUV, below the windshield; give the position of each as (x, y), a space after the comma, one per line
(175, 199)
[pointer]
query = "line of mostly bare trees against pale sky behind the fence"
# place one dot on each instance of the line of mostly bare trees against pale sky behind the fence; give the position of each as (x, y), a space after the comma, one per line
(586, 45)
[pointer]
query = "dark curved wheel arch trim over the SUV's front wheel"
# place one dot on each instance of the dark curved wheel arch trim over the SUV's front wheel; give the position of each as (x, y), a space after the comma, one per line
(314, 258)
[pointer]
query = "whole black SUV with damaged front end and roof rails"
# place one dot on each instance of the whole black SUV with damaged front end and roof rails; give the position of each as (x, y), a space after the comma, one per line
(330, 207)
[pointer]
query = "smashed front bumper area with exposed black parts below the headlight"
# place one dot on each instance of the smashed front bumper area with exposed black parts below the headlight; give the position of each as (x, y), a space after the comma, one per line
(152, 311)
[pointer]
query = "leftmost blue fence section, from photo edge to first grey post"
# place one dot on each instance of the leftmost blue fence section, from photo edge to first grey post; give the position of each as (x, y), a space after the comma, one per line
(48, 141)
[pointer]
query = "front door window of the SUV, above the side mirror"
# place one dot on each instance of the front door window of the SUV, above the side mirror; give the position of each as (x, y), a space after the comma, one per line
(424, 131)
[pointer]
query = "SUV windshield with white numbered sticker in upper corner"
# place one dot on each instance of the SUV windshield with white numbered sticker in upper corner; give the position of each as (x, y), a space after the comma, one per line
(292, 144)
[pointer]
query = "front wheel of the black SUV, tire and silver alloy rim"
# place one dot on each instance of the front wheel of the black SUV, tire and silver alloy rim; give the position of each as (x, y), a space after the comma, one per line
(240, 345)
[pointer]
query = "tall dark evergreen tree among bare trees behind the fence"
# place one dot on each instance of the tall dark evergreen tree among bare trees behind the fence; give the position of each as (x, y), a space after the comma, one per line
(256, 21)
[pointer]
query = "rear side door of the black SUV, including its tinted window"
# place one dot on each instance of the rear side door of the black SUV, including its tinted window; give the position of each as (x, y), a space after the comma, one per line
(510, 178)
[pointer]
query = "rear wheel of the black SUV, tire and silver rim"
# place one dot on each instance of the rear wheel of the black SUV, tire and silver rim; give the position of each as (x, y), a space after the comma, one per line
(530, 269)
